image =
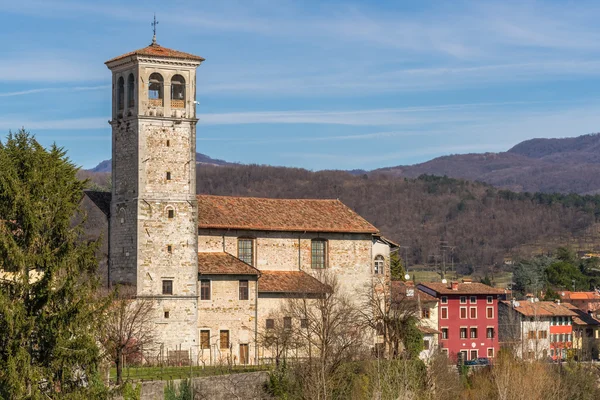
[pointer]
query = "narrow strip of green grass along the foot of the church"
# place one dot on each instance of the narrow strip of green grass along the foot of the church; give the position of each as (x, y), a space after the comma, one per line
(169, 373)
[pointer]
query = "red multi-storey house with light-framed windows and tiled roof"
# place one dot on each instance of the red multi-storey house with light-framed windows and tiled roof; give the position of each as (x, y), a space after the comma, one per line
(467, 318)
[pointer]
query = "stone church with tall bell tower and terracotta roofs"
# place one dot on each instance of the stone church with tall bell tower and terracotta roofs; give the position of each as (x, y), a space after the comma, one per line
(216, 267)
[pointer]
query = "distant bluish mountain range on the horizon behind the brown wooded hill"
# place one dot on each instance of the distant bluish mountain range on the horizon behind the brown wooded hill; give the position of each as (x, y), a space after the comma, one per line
(566, 165)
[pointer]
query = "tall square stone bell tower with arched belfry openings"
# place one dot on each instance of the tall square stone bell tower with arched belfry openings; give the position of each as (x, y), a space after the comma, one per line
(153, 222)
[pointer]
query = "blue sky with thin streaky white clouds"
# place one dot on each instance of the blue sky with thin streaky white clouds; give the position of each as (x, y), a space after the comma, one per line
(315, 84)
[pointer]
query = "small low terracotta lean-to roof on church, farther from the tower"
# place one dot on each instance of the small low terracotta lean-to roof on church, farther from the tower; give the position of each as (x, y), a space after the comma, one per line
(290, 282)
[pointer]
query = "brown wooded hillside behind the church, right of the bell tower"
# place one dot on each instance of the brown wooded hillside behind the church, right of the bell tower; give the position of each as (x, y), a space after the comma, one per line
(483, 224)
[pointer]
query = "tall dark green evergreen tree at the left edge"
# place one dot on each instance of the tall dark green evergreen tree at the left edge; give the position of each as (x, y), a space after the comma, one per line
(48, 311)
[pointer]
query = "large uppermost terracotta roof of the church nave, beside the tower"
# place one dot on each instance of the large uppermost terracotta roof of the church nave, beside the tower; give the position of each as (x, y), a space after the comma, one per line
(298, 215)
